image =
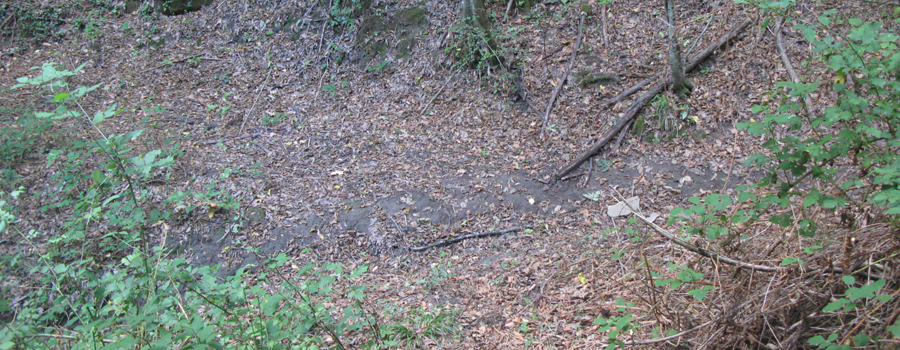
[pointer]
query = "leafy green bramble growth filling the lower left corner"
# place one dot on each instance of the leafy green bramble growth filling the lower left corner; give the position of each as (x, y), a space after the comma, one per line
(101, 281)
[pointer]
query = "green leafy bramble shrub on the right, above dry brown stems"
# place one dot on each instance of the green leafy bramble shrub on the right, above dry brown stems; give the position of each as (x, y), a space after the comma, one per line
(849, 152)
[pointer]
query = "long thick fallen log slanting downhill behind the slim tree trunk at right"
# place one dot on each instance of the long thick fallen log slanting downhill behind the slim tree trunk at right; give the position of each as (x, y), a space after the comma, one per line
(636, 107)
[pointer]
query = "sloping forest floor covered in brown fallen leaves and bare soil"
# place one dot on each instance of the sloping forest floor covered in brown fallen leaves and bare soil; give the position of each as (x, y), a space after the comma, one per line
(356, 142)
